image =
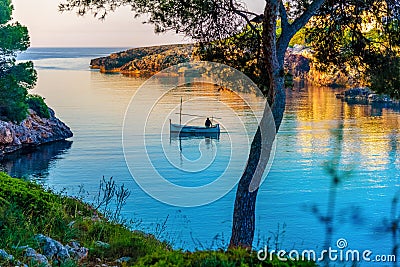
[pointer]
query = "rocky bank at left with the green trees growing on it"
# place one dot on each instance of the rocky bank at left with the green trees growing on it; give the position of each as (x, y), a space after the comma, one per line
(25, 120)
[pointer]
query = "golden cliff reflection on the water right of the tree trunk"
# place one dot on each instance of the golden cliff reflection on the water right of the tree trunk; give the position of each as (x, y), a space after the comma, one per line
(371, 133)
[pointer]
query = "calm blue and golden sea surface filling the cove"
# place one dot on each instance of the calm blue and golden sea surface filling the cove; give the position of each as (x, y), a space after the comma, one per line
(94, 105)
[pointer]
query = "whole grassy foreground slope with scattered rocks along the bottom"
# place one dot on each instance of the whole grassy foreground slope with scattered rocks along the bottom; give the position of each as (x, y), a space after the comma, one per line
(28, 212)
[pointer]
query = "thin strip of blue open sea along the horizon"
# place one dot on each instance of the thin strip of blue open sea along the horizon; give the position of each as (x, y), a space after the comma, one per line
(38, 53)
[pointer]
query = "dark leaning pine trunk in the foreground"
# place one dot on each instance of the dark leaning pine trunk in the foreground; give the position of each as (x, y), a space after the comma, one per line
(244, 211)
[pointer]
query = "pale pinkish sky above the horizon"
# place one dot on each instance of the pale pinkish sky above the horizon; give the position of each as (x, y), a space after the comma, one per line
(50, 28)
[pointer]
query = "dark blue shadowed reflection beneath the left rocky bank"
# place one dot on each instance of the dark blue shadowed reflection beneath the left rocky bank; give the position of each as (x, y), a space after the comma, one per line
(34, 162)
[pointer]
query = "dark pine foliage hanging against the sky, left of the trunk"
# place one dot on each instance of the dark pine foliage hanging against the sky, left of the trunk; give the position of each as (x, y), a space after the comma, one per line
(203, 20)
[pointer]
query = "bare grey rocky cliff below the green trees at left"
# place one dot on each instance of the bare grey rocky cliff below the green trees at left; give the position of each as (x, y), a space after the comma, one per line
(32, 131)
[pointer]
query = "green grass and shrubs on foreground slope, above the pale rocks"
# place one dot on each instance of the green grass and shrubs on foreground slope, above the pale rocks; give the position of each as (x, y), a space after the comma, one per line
(26, 209)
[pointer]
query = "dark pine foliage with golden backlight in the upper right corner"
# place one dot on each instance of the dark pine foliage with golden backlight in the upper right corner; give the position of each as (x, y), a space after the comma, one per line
(364, 36)
